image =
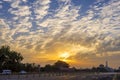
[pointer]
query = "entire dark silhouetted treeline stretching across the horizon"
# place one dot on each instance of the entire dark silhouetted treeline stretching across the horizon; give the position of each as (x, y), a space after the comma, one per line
(10, 59)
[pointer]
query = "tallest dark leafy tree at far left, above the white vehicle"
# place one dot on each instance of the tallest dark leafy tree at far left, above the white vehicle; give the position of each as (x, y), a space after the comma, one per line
(9, 59)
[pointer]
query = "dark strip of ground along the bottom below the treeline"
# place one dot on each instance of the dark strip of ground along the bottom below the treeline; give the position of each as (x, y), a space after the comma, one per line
(50, 76)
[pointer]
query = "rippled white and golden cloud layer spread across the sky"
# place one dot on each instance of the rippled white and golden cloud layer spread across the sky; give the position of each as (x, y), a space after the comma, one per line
(34, 29)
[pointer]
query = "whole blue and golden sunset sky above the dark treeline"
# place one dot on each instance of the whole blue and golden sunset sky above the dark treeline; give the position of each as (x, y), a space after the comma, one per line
(84, 33)
